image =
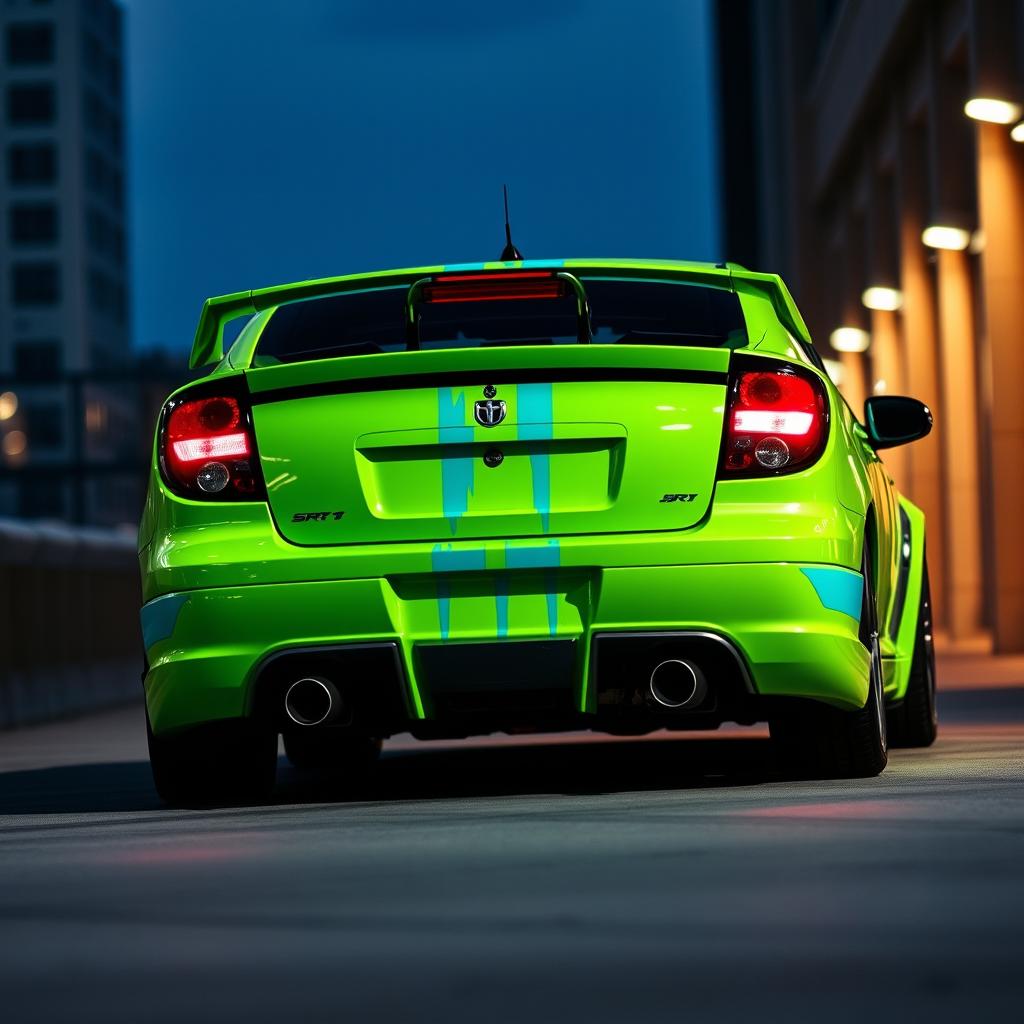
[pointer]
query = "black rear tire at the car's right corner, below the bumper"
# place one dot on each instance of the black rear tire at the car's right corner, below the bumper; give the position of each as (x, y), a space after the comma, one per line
(820, 742)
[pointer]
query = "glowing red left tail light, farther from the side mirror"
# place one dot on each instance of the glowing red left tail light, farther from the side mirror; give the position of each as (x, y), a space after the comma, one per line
(208, 451)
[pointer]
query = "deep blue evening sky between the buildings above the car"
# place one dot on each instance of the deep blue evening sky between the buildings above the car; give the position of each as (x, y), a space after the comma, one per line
(275, 142)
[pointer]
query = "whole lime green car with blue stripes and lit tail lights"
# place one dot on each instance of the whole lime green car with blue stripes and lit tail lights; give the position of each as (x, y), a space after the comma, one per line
(530, 496)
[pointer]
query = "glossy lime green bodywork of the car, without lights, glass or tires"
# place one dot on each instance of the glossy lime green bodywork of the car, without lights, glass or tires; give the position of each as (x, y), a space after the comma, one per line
(568, 538)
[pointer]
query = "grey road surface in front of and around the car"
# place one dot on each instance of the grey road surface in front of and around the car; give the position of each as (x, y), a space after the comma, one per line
(668, 879)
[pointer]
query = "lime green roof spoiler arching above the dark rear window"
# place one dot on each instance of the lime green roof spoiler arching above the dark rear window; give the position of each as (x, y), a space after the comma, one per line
(208, 346)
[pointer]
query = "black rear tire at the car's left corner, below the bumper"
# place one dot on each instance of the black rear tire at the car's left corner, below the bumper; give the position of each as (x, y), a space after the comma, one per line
(215, 764)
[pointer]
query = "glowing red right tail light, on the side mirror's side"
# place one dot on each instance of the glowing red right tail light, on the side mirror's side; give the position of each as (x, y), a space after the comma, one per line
(777, 421)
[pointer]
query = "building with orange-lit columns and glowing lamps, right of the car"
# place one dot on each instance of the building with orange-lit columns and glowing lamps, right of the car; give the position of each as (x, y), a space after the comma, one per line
(873, 153)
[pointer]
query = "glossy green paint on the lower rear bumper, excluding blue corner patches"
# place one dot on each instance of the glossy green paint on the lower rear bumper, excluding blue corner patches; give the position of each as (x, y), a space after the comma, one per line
(795, 646)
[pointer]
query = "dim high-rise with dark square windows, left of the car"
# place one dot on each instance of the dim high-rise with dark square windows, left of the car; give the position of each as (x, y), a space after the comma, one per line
(64, 263)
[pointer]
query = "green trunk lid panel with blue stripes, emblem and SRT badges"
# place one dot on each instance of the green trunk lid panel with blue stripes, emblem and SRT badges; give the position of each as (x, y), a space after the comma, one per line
(565, 468)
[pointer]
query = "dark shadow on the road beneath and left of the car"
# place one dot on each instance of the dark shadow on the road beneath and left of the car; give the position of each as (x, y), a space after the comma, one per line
(502, 770)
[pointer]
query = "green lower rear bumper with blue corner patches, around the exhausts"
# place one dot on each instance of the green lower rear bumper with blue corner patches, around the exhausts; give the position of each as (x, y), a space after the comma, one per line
(793, 631)
